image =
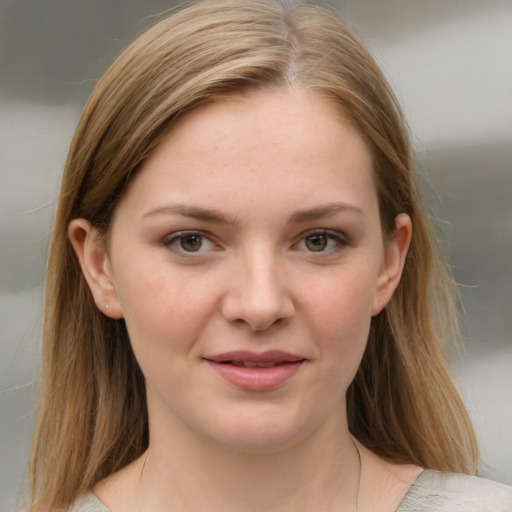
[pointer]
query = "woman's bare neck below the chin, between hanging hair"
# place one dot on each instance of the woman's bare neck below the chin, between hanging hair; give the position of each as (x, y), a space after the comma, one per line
(321, 472)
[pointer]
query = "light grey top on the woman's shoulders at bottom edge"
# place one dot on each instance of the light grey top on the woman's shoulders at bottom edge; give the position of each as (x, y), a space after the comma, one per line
(432, 492)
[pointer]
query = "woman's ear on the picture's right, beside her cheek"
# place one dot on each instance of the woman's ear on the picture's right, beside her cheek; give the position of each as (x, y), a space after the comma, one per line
(393, 264)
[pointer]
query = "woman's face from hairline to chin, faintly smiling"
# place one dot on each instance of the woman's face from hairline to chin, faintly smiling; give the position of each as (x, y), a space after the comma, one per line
(247, 260)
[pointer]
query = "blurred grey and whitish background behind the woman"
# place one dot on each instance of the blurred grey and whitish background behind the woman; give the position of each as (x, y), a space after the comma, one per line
(449, 61)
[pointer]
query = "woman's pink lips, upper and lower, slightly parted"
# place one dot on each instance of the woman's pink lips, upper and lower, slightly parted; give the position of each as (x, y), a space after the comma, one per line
(256, 378)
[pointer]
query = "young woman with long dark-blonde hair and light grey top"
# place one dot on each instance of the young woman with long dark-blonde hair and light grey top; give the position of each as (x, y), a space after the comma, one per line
(243, 297)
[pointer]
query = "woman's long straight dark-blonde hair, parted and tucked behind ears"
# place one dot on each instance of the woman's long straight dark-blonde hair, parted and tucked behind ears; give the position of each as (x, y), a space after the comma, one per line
(93, 419)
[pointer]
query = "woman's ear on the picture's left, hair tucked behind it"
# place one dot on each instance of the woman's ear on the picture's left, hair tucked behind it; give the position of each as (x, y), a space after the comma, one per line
(90, 249)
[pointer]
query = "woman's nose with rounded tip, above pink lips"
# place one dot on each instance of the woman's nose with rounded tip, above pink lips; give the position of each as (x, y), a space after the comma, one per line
(257, 297)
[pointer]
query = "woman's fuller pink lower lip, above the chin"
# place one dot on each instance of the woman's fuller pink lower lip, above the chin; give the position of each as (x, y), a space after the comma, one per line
(257, 379)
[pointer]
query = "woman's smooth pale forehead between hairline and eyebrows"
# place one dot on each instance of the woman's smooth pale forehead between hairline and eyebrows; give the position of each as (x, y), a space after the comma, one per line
(271, 144)
